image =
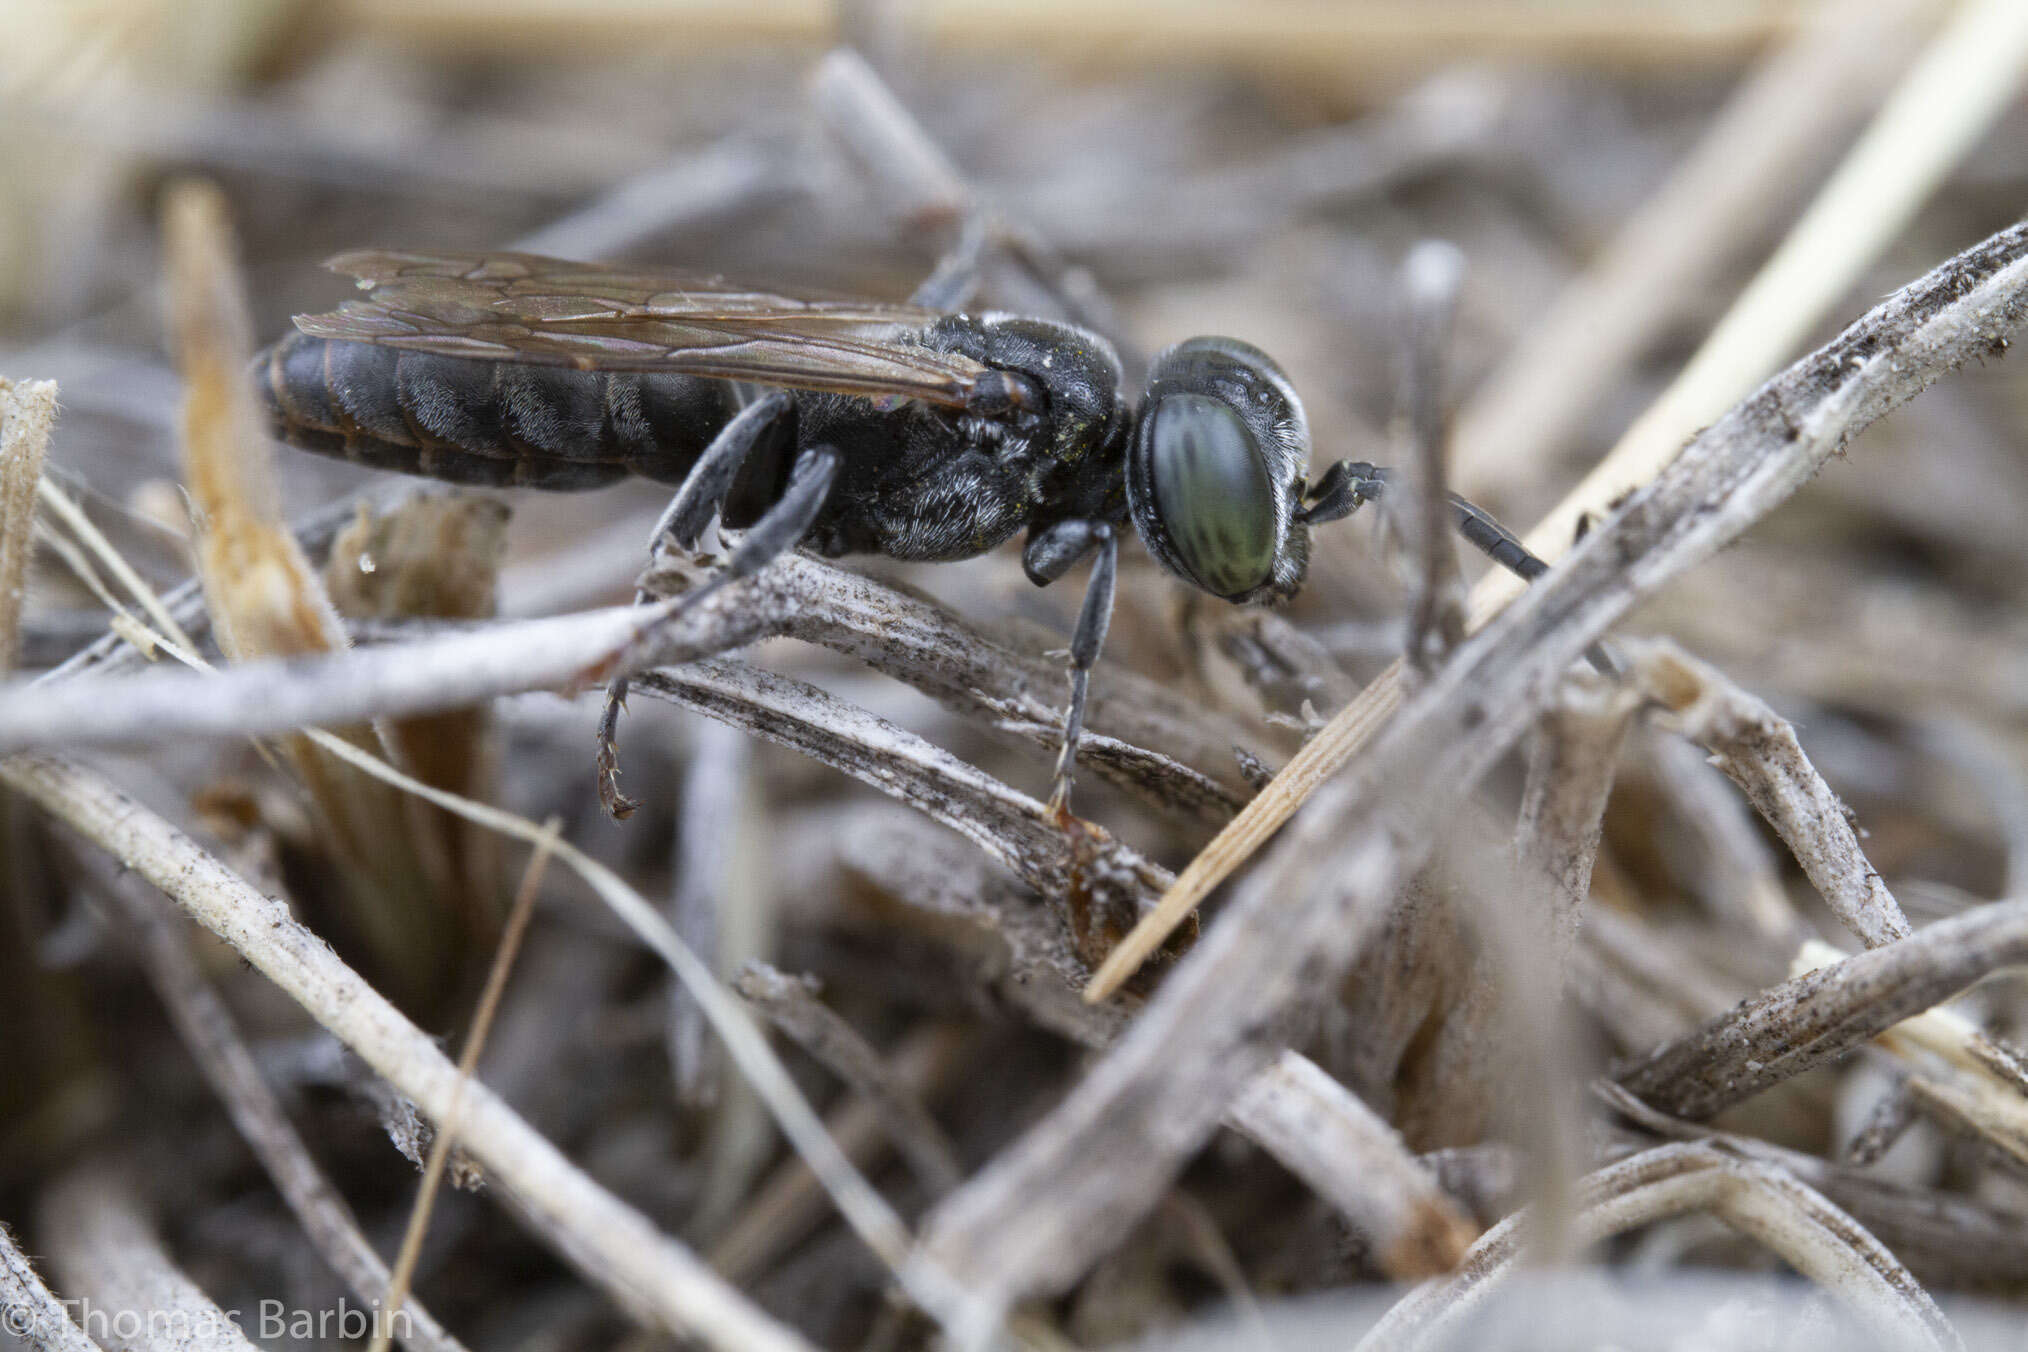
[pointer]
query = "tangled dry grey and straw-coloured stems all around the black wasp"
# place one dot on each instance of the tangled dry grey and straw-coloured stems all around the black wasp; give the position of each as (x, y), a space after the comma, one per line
(1413, 982)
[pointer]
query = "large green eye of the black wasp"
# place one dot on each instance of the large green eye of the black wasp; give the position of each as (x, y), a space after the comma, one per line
(1212, 494)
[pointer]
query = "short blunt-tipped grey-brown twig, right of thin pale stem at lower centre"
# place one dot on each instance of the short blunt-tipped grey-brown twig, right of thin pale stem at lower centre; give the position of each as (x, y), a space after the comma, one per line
(814, 1027)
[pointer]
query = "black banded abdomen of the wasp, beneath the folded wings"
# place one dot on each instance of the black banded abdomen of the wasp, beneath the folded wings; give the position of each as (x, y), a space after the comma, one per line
(488, 423)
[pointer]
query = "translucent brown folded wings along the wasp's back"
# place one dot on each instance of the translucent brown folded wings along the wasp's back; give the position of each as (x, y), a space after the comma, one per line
(520, 307)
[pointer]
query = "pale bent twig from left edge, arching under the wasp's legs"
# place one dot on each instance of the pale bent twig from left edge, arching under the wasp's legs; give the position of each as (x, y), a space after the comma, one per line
(798, 597)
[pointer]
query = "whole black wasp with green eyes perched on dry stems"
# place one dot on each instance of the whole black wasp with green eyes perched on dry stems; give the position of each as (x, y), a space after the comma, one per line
(885, 429)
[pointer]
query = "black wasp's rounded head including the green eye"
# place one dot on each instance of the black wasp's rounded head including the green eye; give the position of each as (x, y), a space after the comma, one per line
(1216, 467)
